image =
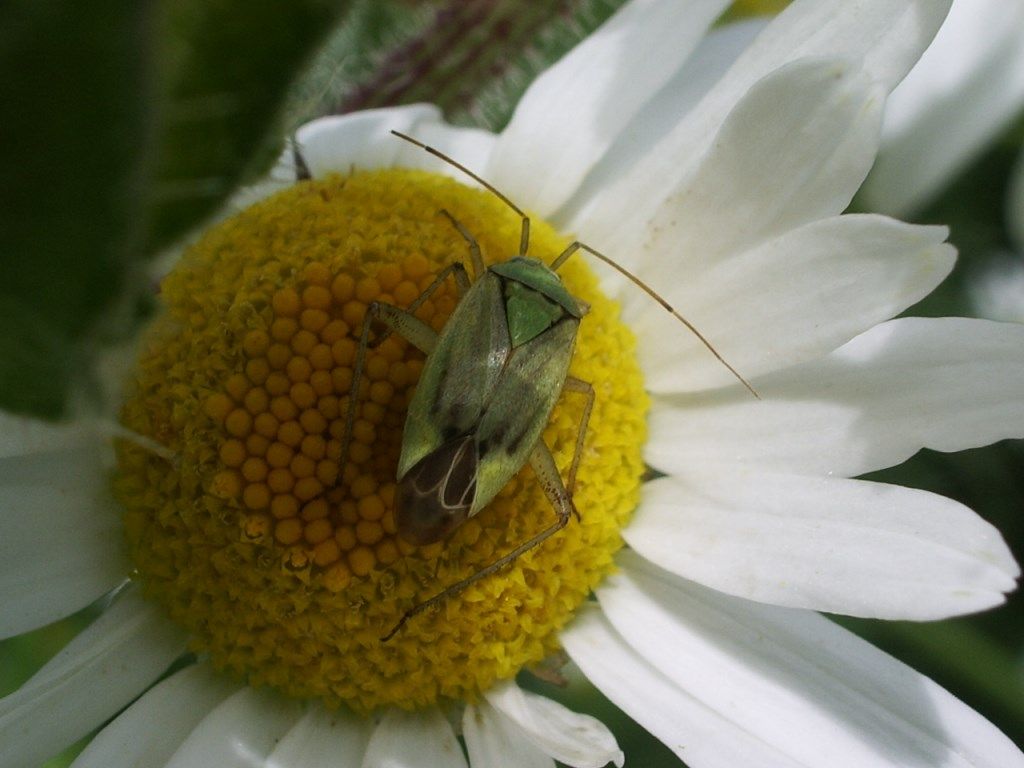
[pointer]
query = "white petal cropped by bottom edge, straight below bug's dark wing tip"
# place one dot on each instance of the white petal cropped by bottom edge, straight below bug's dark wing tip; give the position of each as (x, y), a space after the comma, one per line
(411, 740)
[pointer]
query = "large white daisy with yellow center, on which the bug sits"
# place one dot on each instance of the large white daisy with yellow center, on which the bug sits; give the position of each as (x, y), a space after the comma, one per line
(716, 165)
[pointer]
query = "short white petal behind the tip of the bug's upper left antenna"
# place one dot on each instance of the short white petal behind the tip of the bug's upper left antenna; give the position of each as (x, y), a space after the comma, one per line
(363, 141)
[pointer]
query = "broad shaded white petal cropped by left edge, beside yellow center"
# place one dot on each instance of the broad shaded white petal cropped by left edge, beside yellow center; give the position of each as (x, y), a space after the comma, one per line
(63, 544)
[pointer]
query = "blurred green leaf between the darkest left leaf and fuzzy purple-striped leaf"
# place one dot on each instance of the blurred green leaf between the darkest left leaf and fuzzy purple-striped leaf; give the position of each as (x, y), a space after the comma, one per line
(227, 67)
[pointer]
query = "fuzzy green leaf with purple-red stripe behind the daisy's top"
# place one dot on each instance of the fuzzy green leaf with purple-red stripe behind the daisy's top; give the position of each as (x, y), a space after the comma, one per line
(474, 60)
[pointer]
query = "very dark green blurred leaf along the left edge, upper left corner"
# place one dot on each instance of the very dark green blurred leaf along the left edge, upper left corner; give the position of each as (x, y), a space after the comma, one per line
(75, 136)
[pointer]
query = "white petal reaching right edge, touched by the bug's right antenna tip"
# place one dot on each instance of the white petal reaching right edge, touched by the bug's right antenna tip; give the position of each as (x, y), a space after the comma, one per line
(948, 383)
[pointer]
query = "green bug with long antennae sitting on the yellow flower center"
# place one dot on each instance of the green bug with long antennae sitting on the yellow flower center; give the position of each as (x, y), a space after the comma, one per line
(489, 387)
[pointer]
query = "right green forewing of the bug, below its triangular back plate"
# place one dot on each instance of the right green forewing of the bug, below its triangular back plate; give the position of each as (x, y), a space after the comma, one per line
(521, 407)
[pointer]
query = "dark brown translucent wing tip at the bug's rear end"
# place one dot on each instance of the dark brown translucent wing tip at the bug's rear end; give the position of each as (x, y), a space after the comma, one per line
(437, 495)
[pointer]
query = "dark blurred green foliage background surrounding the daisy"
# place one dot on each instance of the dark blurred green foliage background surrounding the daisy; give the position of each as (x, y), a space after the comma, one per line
(129, 124)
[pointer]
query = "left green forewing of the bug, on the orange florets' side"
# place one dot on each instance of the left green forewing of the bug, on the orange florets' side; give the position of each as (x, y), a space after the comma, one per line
(460, 374)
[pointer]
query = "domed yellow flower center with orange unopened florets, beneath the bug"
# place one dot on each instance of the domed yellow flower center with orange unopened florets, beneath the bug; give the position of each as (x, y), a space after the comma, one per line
(287, 574)
